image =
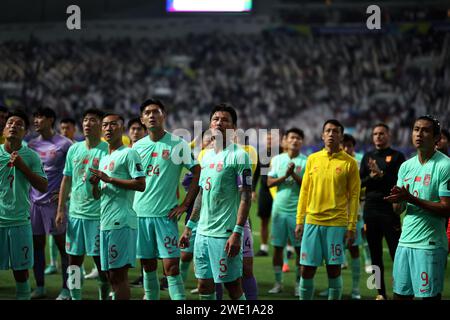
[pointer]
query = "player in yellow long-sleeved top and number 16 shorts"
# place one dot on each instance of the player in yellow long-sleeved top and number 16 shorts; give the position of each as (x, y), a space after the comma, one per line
(329, 200)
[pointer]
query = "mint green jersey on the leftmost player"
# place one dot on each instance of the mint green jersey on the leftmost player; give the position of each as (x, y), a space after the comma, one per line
(15, 187)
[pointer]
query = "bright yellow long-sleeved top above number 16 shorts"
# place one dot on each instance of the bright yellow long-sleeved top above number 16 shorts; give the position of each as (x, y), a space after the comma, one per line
(329, 195)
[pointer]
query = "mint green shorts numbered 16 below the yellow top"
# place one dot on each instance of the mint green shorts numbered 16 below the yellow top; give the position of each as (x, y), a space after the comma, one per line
(322, 243)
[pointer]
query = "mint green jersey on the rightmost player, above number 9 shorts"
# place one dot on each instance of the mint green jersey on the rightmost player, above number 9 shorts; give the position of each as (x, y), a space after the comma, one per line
(423, 229)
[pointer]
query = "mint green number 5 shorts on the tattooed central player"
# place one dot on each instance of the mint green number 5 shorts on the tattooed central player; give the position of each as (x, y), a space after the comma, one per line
(211, 260)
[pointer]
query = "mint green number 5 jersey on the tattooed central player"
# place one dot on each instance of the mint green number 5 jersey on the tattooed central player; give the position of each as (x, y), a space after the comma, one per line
(221, 177)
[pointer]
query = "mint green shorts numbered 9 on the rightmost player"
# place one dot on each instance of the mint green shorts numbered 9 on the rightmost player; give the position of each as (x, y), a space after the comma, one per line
(419, 272)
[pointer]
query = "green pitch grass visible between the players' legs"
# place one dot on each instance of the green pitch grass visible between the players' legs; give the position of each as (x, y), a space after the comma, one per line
(262, 270)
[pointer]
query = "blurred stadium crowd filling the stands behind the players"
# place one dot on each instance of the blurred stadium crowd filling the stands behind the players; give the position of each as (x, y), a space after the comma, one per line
(277, 79)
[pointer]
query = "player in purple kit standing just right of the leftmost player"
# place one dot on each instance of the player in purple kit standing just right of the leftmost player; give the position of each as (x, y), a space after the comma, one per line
(52, 149)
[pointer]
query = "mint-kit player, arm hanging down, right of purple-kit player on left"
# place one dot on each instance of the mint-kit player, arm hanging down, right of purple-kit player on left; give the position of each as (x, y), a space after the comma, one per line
(83, 225)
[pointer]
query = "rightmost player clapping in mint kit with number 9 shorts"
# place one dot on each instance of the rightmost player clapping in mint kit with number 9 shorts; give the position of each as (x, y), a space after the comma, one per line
(423, 190)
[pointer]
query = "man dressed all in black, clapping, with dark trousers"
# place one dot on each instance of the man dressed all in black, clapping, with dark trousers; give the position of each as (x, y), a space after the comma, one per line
(378, 172)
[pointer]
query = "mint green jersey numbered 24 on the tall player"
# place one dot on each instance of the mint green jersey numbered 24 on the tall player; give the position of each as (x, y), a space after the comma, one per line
(163, 162)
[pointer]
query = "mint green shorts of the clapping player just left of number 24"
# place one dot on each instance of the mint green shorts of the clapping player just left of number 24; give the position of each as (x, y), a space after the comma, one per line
(118, 248)
